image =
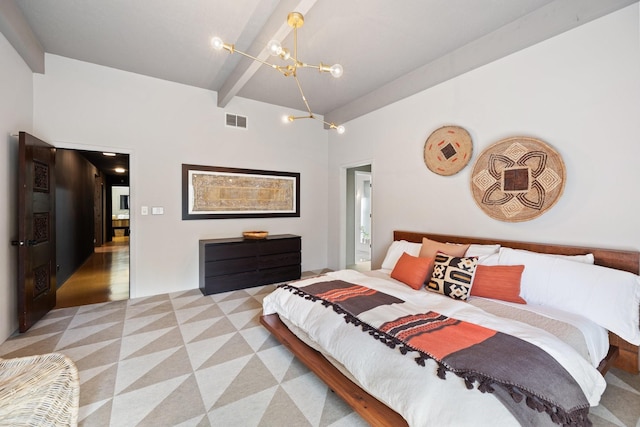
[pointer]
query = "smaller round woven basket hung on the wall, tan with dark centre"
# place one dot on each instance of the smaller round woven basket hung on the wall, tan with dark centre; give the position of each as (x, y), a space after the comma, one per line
(448, 150)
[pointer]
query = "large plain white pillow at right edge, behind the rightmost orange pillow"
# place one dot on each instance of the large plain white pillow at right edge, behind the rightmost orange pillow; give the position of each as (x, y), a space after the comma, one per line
(609, 297)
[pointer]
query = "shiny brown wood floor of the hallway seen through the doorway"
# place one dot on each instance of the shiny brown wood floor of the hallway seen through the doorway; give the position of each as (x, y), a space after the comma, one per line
(103, 277)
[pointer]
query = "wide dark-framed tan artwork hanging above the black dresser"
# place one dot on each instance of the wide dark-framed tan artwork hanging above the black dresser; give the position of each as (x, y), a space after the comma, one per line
(215, 192)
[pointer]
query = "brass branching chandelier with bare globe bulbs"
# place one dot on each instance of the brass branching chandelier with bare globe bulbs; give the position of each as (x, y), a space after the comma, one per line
(295, 20)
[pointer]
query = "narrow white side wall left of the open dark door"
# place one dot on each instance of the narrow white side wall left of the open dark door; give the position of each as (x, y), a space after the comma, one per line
(16, 113)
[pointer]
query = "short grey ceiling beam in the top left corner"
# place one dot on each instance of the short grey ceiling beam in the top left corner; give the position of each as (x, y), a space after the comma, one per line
(18, 32)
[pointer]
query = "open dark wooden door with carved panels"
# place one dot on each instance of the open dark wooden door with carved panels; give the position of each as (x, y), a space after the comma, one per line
(36, 230)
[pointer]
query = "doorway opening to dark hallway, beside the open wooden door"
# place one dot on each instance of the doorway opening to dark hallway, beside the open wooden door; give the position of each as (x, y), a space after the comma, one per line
(92, 227)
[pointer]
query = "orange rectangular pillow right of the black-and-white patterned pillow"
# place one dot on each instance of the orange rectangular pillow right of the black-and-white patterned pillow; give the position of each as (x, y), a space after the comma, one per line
(498, 282)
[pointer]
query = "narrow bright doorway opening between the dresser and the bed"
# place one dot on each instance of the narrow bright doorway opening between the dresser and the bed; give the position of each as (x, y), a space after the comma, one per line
(358, 249)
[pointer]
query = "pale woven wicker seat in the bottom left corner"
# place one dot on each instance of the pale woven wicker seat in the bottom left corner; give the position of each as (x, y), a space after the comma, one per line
(40, 390)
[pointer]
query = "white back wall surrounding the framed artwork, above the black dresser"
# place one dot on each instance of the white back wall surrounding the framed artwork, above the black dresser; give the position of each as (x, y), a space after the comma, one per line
(163, 125)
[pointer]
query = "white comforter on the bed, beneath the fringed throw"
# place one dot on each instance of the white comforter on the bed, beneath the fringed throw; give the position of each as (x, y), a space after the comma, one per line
(411, 390)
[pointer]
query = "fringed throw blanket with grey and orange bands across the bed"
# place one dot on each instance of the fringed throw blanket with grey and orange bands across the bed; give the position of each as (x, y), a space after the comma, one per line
(515, 370)
